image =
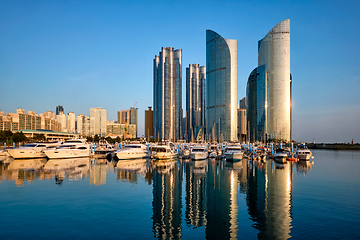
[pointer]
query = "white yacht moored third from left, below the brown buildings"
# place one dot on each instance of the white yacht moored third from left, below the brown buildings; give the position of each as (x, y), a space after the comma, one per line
(133, 151)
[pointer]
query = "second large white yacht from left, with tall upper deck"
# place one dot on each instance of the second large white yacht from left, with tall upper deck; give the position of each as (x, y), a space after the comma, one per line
(70, 149)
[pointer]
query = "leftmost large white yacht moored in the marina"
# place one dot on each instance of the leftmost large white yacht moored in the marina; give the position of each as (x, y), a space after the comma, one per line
(32, 150)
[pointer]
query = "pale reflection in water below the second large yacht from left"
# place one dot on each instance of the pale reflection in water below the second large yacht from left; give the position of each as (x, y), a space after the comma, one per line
(72, 168)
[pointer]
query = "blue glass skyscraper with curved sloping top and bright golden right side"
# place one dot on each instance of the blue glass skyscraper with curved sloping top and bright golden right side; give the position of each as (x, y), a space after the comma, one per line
(221, 87)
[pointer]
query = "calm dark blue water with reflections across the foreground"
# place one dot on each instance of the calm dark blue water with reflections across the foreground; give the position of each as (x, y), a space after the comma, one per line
(210, 199)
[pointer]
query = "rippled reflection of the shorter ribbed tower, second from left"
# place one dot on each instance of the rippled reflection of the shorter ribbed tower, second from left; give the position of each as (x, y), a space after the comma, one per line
(196, 196)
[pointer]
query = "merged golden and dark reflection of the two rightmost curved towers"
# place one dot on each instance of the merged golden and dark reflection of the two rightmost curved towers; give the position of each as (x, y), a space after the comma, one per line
(269, 198)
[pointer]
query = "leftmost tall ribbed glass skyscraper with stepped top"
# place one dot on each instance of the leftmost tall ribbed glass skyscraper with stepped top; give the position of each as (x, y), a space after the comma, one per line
(167, 94)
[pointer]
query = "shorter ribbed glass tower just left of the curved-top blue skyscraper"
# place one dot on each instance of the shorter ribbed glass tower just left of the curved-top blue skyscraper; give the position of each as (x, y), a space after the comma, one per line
(195, 100)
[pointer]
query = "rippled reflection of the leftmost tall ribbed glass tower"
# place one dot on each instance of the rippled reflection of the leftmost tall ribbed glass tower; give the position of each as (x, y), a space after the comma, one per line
(167, 181)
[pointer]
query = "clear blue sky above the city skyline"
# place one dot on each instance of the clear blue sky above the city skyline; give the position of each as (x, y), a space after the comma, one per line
(83, 54)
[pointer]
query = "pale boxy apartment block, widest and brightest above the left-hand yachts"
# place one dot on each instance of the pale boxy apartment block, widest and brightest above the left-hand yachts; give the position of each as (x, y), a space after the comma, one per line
(98, 119)
